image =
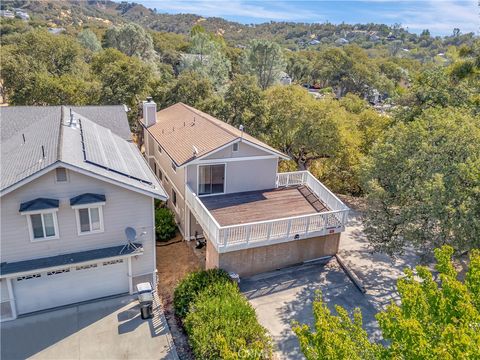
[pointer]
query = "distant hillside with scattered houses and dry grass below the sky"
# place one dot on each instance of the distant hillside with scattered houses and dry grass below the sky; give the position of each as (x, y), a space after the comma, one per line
(291, 35)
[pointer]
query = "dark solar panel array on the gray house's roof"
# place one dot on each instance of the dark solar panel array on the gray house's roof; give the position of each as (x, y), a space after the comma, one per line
(102, 148)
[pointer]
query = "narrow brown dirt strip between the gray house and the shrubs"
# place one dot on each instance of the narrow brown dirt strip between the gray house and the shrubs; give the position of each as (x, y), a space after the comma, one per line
(175, 260)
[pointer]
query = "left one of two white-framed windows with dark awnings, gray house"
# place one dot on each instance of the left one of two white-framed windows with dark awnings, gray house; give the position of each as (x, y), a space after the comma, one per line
(41, 218)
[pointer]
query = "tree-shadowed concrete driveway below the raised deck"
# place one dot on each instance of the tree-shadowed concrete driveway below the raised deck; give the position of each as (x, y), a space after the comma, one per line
(283, 296)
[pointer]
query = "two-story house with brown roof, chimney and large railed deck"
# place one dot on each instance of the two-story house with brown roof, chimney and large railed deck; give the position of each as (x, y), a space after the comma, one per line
(223, 184)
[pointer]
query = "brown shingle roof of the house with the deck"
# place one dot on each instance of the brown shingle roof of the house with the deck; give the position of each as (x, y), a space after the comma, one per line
(180, 127)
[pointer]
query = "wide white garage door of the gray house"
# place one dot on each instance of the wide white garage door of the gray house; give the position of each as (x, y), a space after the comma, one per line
(70, 285)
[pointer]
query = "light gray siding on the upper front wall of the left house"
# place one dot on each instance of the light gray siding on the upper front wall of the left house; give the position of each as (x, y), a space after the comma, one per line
(122, 208)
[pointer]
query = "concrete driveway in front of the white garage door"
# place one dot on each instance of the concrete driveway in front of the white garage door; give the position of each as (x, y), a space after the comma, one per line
(107, 329)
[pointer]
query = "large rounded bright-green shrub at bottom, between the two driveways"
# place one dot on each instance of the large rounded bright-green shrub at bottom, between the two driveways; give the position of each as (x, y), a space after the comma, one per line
(221, 324)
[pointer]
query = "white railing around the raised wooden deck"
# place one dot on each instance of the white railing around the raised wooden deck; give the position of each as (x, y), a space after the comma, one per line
(236, 237)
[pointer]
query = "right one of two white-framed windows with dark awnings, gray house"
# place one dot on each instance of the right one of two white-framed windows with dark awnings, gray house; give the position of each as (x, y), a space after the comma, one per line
(89, 212)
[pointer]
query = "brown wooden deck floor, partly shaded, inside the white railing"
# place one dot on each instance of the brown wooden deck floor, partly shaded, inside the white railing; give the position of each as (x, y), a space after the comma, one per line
(252, 206)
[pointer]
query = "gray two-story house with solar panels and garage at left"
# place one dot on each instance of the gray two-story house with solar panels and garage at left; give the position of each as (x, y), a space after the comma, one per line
(72, 183)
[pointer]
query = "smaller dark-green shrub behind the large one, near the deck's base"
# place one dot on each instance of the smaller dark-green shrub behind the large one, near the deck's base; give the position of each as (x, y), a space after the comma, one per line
(186, 292)
